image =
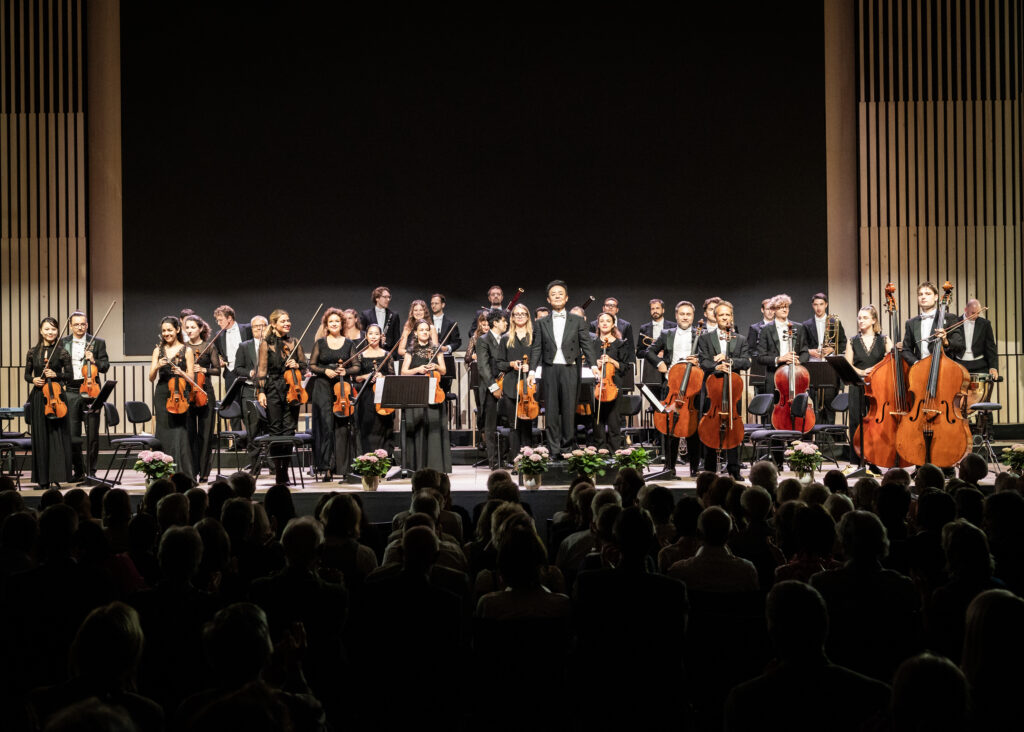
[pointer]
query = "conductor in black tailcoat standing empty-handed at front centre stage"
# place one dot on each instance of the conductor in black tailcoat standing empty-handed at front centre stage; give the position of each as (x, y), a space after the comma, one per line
(560, 341)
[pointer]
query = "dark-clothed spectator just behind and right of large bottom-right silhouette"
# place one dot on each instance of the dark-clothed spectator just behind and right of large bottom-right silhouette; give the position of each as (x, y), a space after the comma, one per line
(874, 613)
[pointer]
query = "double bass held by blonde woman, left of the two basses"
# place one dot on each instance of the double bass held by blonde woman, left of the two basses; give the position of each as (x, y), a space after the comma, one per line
(885, 394)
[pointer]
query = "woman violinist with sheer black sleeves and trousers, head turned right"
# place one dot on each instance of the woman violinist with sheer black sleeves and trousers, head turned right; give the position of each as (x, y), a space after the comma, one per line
(279, 353)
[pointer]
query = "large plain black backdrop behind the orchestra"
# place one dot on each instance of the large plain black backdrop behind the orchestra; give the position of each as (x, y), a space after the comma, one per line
(280, 155)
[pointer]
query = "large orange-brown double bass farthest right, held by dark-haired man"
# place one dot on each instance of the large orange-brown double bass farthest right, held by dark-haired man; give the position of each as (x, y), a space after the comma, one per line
(935, 428)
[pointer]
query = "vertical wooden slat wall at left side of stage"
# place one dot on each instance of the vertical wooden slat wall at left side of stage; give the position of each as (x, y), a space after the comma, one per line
(42, 176)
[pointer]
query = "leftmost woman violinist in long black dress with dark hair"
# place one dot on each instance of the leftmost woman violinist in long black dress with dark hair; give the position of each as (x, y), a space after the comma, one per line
(52, 455)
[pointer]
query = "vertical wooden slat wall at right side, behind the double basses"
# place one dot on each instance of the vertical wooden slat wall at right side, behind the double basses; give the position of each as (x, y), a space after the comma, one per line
(940, 138)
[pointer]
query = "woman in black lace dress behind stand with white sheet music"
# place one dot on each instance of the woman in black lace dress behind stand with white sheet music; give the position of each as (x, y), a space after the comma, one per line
(428, 443)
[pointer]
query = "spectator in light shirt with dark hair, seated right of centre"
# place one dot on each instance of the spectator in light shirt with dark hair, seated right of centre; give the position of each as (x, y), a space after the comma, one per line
(714, 569)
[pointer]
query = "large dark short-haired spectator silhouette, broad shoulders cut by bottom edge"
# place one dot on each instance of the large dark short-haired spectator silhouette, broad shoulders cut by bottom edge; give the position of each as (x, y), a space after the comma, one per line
(831, 698)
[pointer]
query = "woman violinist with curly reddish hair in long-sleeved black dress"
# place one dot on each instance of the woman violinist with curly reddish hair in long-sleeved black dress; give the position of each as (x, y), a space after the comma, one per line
(333, 435)
